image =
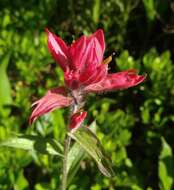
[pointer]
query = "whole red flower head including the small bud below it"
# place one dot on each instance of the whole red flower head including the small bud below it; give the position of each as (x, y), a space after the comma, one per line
(85, 72)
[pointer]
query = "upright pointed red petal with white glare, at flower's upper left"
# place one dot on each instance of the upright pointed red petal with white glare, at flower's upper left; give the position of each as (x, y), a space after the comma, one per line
(58, 49)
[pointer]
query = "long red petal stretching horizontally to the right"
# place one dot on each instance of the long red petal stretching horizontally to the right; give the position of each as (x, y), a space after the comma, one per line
(120, 80)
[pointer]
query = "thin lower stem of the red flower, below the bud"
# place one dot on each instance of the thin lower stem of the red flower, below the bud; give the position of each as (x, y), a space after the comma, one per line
(65, 173)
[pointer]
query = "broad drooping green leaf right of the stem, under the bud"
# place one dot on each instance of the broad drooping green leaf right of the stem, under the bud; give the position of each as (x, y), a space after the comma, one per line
(90, 143)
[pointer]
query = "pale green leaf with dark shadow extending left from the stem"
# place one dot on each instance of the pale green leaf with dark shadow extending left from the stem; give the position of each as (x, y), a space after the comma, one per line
(34, 143)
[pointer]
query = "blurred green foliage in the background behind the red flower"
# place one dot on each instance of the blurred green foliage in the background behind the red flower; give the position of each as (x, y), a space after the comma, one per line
(135, 126)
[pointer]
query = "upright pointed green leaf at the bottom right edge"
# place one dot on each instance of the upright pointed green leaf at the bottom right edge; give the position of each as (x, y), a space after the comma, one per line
(166, 166)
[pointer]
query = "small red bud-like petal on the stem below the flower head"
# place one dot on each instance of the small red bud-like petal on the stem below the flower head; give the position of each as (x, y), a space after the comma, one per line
(77, 119)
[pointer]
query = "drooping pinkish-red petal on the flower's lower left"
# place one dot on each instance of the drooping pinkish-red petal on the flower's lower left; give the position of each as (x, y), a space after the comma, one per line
(55, 98)
